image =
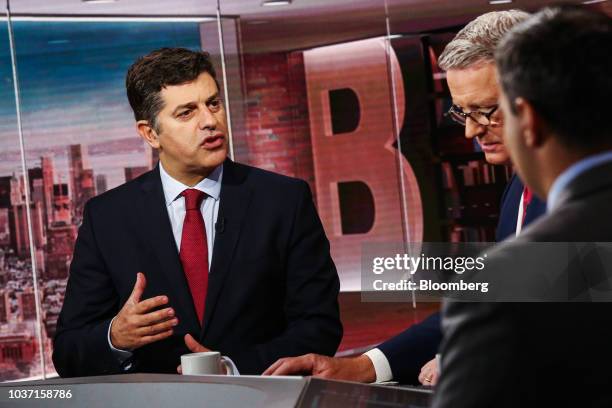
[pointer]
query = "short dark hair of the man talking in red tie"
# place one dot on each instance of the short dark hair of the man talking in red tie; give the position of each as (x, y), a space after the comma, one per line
(160, 68)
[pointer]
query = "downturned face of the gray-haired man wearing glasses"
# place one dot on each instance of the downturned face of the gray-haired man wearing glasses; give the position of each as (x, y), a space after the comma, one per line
(475, 88)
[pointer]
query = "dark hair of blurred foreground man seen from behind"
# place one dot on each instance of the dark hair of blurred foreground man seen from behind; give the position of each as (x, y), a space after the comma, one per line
(560, 60)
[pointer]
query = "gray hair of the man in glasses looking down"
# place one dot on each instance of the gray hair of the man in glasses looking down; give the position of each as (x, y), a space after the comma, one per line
(477, 41)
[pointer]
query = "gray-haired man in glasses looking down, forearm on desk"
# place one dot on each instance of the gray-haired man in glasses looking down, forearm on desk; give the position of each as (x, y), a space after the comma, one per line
(469, 64)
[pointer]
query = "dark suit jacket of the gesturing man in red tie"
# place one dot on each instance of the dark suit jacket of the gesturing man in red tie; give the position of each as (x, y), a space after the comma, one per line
(272, 288)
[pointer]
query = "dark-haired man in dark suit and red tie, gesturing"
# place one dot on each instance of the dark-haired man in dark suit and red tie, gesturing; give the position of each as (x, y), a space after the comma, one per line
(199, 253)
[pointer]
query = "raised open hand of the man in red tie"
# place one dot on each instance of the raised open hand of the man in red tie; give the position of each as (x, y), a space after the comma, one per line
(135, 326)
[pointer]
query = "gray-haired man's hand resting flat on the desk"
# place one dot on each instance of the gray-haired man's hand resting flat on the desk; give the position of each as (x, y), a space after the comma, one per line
(358, 369)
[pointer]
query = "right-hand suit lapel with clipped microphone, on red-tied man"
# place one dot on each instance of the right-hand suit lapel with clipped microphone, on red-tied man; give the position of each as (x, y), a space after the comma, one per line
(235, 197)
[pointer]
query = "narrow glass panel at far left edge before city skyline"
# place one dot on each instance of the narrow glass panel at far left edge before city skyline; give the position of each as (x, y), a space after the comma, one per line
(21, 340)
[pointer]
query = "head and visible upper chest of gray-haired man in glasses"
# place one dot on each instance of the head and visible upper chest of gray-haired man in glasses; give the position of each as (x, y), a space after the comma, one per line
(470, 73)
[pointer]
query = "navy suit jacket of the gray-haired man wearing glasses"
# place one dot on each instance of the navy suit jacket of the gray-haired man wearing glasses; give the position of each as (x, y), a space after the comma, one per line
(411, 349)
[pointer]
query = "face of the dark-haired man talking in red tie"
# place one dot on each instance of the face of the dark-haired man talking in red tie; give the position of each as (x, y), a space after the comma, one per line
(192, 127)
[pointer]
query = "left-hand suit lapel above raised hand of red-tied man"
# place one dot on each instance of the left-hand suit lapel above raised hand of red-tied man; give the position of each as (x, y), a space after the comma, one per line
(158, 232)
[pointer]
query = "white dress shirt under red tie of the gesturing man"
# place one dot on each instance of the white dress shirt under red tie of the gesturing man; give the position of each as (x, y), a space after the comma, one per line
(175, 205)
